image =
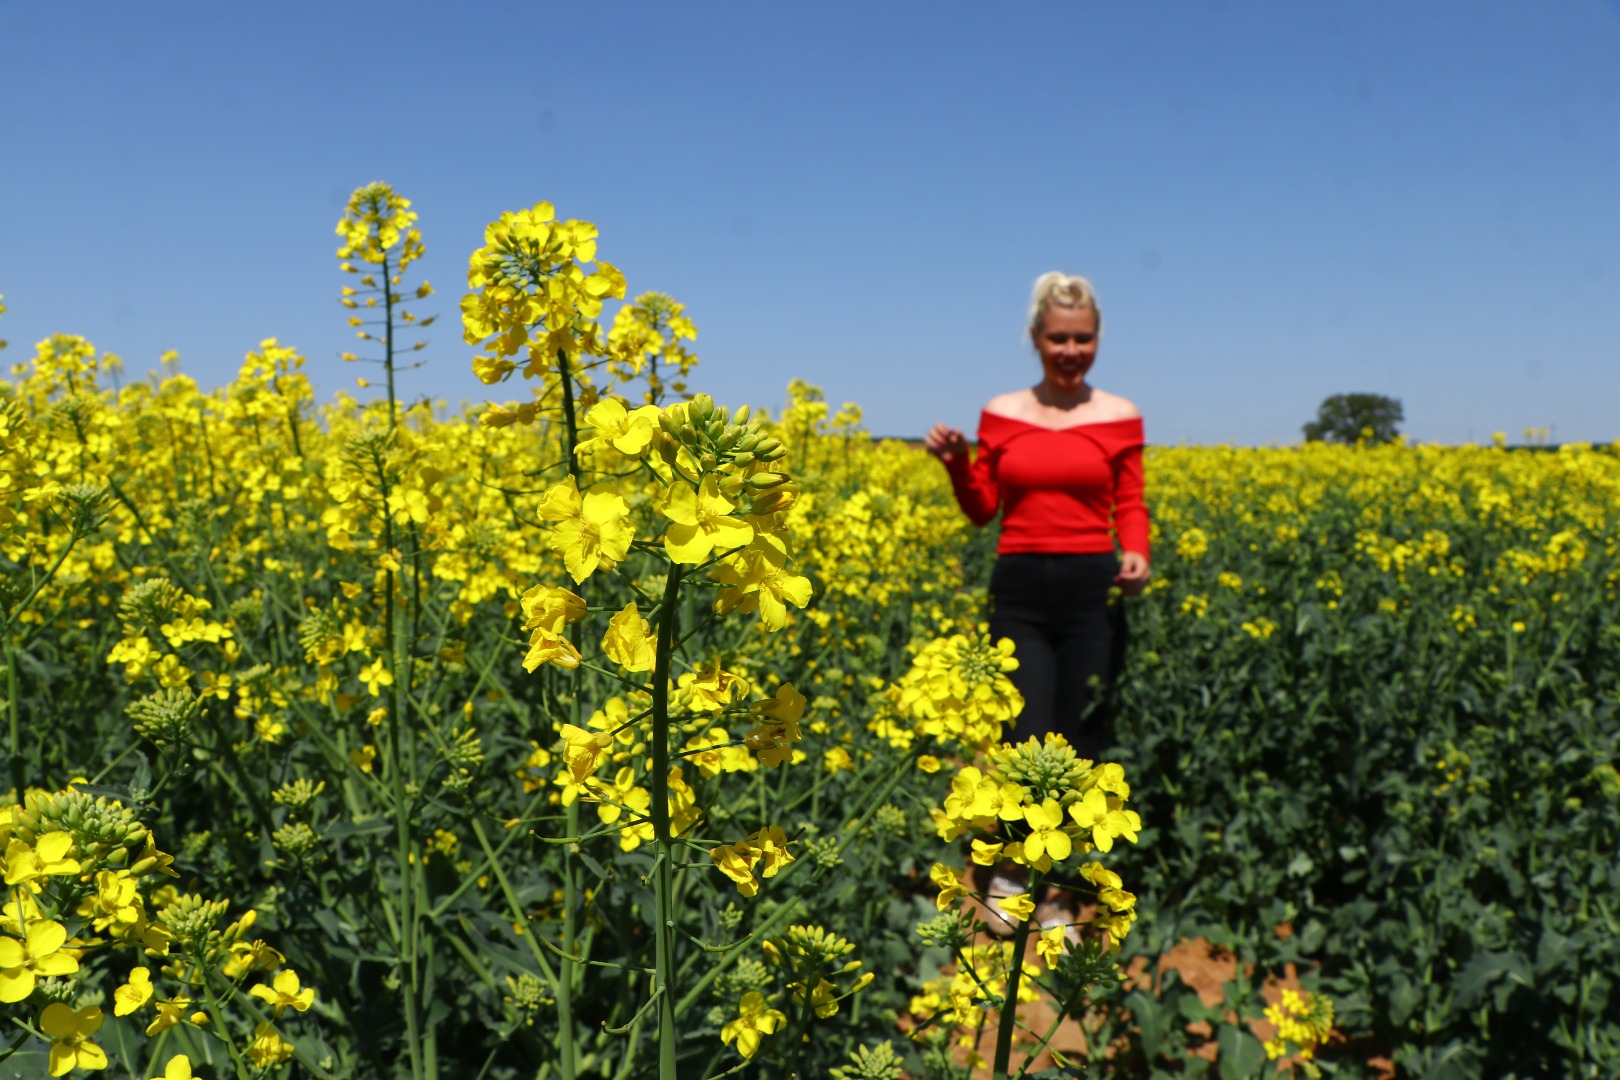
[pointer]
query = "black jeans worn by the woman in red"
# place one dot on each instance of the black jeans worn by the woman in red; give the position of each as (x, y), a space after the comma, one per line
(1070, 642)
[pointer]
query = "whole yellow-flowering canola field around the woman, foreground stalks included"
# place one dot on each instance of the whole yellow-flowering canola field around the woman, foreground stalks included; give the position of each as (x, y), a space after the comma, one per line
(613, 733)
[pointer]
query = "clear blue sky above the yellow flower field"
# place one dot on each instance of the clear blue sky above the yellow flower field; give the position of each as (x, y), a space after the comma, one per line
(1276, 202)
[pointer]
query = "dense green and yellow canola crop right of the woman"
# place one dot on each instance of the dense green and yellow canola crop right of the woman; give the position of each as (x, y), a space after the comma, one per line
(1409, 772)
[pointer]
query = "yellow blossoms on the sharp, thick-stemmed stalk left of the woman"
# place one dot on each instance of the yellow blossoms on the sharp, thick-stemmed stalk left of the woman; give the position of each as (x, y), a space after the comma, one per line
(720, 496)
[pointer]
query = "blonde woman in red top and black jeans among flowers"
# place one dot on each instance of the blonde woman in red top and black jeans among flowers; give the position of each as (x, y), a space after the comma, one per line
(1064, 461)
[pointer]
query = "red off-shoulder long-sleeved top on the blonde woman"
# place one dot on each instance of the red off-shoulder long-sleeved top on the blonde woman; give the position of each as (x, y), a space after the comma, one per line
(1065, 490)
